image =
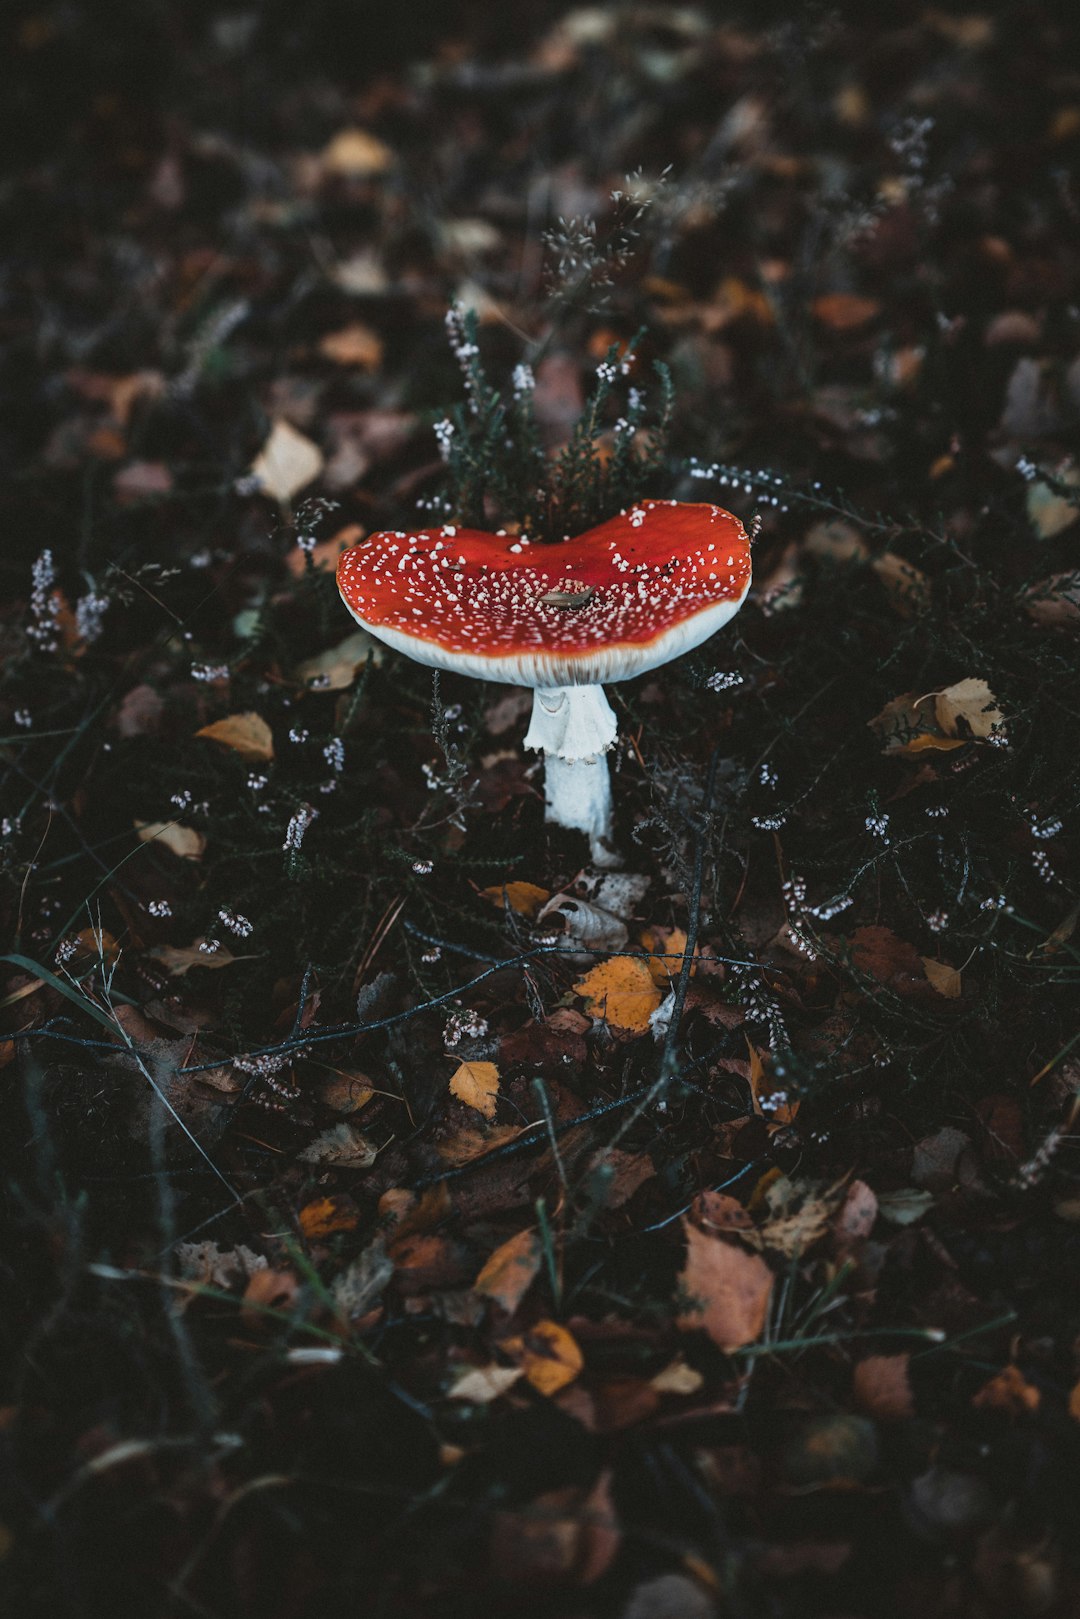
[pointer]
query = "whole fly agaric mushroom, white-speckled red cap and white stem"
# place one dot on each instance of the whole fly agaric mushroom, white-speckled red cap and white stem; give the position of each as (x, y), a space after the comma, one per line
(618, 601)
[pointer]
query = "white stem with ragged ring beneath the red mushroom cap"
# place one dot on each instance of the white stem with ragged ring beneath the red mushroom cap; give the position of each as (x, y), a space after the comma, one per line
(574, 728)
